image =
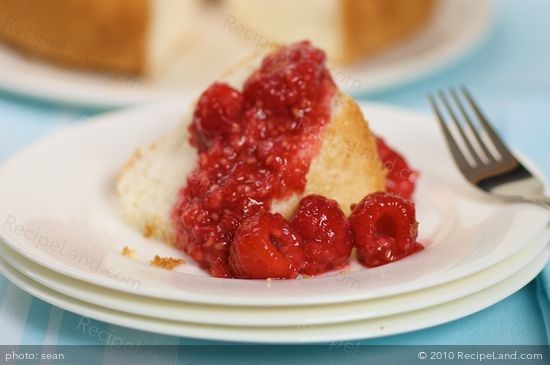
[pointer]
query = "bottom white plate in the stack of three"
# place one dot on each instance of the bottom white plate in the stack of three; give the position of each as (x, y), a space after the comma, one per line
(301, 332)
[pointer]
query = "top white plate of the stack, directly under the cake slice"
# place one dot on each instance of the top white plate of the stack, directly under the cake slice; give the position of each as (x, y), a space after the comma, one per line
(58, 209)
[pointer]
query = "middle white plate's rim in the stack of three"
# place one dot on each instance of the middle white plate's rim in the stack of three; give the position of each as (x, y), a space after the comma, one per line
(460, 288)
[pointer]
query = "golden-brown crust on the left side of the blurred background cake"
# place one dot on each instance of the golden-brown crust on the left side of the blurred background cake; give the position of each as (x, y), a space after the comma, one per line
(95, 35)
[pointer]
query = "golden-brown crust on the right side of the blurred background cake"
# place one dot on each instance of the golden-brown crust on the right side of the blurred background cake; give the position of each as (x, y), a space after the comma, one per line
(370, 26)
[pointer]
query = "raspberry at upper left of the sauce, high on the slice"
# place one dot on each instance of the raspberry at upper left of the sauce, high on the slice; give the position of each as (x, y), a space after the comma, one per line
(217, 115)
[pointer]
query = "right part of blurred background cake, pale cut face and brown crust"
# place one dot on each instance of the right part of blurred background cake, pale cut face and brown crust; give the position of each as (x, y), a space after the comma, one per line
(348, 30)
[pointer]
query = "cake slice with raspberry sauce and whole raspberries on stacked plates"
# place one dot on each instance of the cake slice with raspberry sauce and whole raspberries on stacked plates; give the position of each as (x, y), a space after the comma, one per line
(274, 176)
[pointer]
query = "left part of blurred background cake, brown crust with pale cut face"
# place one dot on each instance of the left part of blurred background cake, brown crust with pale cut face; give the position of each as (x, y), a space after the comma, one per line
(127, 36)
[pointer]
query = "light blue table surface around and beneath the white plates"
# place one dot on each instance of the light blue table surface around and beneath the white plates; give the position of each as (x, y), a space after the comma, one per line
(510, 75)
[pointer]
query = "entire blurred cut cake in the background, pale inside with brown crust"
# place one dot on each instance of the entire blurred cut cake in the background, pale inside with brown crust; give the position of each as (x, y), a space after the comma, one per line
(164, 39)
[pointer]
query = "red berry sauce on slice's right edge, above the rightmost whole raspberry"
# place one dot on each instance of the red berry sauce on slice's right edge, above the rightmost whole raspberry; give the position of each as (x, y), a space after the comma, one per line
(401, 179)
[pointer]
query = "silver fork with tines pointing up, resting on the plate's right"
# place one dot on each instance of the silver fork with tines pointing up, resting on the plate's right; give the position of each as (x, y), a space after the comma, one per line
(480, 154)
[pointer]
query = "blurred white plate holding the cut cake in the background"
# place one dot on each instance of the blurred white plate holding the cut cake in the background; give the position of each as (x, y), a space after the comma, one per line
(444, 40)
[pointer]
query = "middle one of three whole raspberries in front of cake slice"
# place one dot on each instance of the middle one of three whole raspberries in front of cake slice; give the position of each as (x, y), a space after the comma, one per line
(325, 232)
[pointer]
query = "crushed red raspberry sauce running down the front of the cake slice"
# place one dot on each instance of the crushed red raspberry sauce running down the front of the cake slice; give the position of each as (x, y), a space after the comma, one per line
(253, 148)
